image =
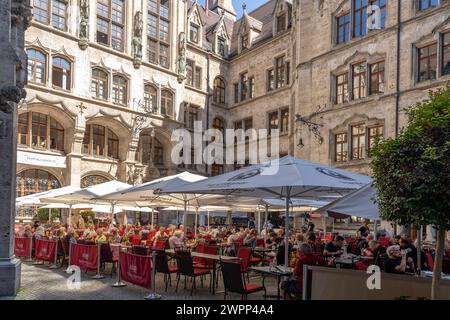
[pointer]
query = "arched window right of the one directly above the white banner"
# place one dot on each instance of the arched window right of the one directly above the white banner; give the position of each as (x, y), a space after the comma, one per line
(100, 142)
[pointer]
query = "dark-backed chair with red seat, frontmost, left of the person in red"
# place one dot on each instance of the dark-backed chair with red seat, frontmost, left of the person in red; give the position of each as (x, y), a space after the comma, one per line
(234, 281)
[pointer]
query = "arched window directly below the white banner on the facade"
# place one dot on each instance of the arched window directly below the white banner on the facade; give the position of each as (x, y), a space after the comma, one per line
(34, 181)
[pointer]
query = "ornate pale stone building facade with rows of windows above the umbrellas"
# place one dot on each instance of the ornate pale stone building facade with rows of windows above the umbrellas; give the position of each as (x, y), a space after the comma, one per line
(110, 80)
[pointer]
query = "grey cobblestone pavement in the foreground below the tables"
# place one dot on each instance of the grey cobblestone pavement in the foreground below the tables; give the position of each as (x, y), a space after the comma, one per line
(41, 283)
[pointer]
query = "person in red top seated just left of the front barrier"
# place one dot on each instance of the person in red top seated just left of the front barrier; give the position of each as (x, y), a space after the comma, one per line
(305, 258)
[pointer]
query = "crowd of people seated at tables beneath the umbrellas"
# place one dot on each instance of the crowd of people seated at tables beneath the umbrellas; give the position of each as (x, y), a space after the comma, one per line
(308, 246)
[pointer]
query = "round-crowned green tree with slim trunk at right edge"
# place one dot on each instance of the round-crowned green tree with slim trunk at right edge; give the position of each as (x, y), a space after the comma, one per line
(412, 172)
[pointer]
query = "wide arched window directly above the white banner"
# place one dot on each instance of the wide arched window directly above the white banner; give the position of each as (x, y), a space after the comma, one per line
(38, 130)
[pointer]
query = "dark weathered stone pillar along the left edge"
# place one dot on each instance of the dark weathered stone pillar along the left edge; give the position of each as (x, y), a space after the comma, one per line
(15, 16)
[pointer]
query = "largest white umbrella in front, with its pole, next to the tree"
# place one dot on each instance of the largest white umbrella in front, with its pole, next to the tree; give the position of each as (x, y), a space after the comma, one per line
(284, 178)
